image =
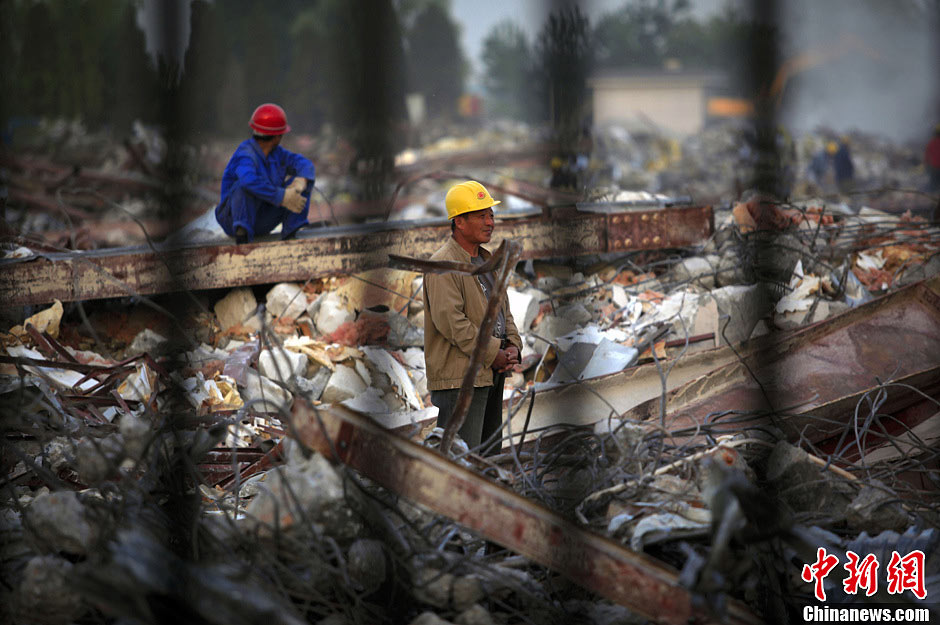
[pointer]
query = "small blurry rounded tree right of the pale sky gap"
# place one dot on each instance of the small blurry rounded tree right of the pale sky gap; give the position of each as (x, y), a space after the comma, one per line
(507, 60)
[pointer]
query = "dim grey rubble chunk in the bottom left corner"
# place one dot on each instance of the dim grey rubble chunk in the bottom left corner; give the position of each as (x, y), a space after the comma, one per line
(46, 594)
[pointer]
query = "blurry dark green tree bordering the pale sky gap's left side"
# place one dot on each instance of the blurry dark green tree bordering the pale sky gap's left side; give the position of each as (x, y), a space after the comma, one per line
(435, 61)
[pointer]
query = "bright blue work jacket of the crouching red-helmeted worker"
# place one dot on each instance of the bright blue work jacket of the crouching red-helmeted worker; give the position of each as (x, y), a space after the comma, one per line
(263, 177)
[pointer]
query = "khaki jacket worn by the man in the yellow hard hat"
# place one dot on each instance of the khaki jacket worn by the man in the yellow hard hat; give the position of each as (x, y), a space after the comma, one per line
(454, 307)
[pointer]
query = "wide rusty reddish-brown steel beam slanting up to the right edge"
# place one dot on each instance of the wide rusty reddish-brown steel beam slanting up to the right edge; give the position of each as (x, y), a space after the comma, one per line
(810, 382)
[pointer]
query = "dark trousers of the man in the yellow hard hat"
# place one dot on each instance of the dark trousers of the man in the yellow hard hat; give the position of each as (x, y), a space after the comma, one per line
(484, 418)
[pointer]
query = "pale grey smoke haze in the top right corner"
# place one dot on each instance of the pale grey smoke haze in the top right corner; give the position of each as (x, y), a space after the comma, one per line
(873, 66)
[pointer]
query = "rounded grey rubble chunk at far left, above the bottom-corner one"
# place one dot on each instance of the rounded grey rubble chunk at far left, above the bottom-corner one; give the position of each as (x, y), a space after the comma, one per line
(57, 522)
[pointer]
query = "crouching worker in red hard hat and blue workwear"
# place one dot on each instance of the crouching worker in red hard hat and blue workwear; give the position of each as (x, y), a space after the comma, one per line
(263, 184)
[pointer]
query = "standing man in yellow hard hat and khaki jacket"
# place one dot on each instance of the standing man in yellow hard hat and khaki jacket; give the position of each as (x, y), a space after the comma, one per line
(454, 308)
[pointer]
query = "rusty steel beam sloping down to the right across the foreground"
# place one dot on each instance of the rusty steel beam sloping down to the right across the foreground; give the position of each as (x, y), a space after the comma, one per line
(632, 579)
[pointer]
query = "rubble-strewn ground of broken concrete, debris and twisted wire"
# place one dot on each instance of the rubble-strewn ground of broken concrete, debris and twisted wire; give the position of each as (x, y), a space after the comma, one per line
(150, 472)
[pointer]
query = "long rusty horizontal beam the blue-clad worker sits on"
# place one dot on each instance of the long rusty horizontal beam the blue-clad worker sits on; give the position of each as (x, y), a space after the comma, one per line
(331, 251)
